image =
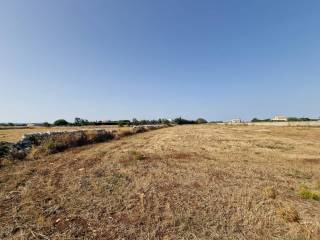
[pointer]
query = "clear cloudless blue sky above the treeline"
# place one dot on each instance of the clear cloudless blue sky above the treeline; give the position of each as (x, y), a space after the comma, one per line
(119, 59)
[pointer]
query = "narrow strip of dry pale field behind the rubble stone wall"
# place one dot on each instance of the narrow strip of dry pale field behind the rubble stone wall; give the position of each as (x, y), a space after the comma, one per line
(13, 134)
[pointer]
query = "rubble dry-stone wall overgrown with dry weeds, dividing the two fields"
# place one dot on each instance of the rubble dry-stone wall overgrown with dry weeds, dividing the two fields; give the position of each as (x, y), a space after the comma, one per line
(58, 141)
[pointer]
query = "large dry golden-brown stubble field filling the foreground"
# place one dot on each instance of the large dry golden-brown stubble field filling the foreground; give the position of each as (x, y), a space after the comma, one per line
(183, 182)
